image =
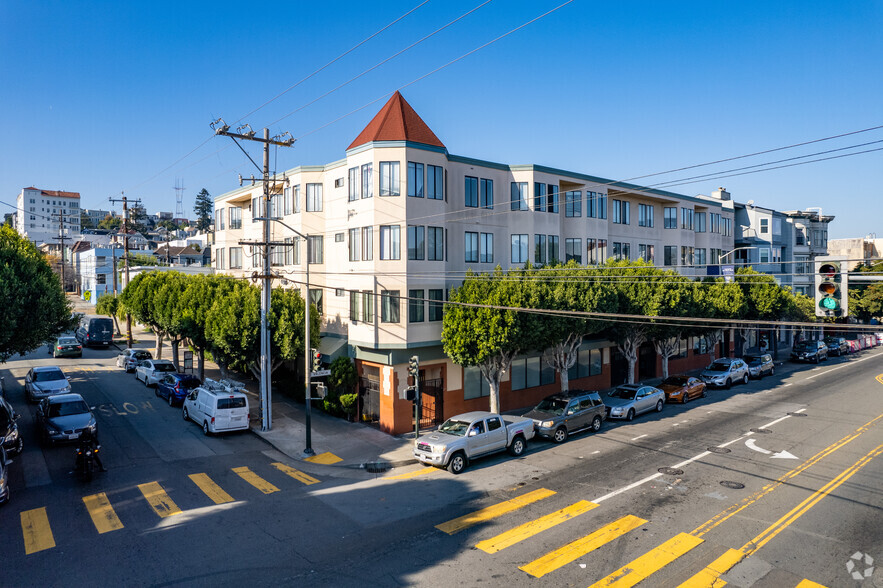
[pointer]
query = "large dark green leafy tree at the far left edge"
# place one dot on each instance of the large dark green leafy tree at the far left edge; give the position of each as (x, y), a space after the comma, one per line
(33, 307)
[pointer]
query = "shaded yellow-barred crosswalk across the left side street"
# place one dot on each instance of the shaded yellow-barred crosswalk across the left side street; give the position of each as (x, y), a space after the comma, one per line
(37, 532)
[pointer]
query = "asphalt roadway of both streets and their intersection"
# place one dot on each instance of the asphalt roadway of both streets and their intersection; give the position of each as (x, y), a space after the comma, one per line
(776, 483)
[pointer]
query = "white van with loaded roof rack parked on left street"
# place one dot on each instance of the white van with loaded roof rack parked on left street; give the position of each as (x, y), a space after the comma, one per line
(217, 406)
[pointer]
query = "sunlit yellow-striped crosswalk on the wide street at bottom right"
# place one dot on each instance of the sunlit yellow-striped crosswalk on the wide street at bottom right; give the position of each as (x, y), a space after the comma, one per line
(634, 572)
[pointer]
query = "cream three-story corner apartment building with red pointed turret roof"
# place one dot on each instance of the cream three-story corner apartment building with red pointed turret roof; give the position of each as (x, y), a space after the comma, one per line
(397, 223)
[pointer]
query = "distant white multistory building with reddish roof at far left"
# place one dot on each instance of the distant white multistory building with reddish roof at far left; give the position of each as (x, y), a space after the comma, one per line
(40, 213)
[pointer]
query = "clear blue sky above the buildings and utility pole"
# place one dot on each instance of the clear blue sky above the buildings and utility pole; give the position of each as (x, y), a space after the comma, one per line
(101, 97)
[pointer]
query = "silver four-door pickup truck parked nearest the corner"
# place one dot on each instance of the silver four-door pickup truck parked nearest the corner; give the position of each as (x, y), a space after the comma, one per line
(473, 434)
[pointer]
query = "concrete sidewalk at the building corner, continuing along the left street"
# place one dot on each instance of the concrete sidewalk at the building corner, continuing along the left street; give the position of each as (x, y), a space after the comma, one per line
(334, 440)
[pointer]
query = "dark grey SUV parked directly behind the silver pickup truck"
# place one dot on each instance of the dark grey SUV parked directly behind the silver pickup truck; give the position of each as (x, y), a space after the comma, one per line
(559, 415)
